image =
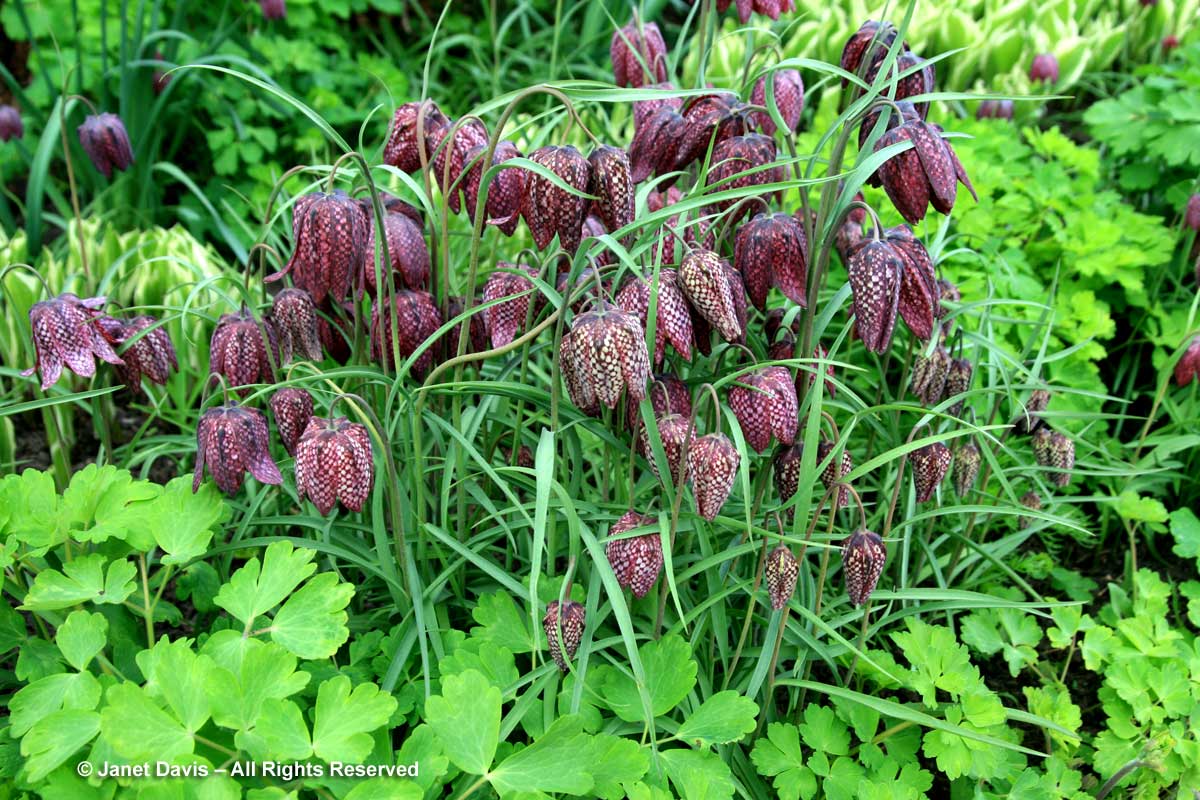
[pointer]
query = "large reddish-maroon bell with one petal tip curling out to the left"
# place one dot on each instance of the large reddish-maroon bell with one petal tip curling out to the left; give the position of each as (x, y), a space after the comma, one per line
(331, 233)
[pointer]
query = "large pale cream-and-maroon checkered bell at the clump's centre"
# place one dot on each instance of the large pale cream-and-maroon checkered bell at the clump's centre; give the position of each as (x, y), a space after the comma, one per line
(603, 356)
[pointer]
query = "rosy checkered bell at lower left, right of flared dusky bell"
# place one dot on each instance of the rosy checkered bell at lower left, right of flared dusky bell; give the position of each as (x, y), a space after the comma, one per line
(334, 464)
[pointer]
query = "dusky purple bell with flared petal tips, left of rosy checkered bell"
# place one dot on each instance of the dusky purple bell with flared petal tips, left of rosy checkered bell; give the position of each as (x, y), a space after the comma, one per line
(232, 441)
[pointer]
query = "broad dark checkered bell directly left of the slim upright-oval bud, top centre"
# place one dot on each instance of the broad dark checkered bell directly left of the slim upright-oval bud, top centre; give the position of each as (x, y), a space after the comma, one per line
(550, 210)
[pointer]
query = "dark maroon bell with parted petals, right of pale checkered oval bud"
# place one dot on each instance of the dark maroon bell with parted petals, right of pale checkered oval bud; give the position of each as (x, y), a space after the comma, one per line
(771, 250)
